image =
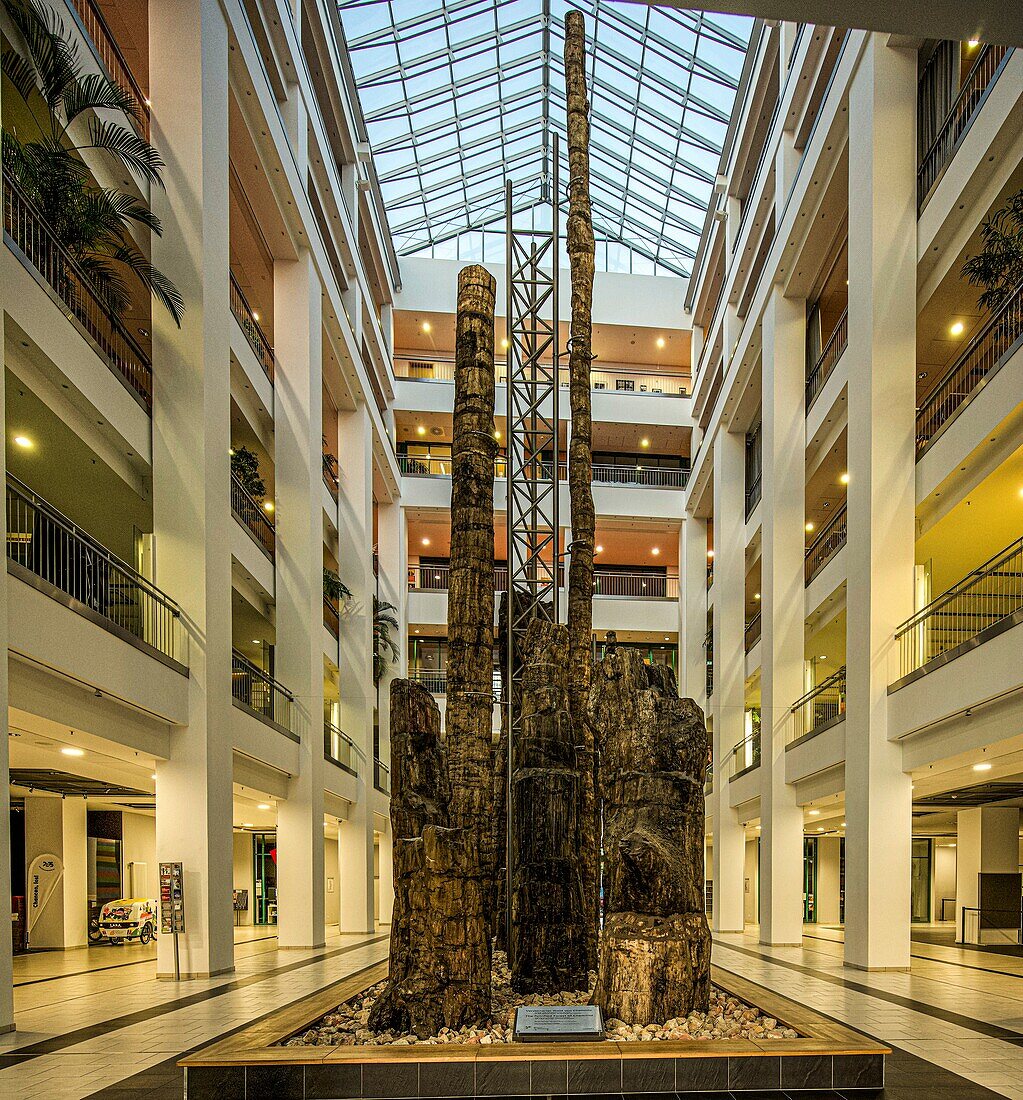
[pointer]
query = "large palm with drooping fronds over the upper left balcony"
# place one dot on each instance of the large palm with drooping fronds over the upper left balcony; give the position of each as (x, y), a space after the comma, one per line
(94, 224)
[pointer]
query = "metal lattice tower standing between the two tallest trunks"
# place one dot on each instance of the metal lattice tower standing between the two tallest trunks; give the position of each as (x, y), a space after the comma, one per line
(532, 443)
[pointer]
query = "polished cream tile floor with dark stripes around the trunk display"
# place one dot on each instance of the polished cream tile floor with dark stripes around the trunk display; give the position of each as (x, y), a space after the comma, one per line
(97, 1024)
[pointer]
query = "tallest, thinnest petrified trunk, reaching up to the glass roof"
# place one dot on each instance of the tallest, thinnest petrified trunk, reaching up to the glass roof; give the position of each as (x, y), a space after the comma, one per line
(580, 248)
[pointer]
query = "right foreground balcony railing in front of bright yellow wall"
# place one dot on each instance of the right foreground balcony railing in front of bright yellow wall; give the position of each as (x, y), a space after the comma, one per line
(983, 604)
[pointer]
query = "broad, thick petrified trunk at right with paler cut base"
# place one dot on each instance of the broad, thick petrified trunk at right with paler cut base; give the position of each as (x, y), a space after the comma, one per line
(656, 950)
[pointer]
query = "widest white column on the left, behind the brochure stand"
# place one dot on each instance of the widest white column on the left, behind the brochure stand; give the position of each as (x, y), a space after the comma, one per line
(192, 507)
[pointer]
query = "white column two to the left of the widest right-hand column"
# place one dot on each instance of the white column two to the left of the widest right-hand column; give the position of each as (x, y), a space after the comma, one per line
(728, 702)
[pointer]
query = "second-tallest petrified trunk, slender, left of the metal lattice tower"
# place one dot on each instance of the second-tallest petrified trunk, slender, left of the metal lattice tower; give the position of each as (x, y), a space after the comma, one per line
(471, 618)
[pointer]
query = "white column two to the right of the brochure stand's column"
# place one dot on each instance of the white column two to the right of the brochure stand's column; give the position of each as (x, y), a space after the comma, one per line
(358, 691)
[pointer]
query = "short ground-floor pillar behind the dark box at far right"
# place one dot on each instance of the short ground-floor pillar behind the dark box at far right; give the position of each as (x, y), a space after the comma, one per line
(988, 843)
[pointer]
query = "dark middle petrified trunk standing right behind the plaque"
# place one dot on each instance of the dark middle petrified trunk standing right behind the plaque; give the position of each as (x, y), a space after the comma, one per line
(548, 925)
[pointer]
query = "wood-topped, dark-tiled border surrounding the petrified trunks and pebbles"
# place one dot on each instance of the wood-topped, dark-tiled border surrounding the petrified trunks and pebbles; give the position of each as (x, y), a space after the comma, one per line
(251, 1064)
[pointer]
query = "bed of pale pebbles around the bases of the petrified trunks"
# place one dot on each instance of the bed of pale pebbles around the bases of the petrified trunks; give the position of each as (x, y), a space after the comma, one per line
(728, 1018)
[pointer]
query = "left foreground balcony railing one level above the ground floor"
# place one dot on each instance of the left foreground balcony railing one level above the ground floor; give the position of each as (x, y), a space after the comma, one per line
(54, 555)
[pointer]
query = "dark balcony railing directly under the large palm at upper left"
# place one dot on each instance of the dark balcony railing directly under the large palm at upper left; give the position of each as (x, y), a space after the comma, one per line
(34, 243)
